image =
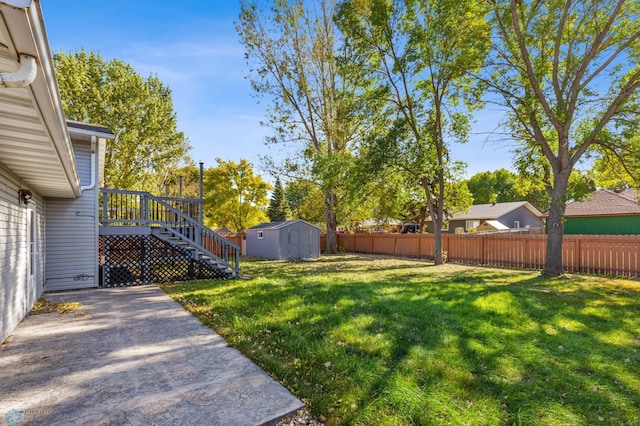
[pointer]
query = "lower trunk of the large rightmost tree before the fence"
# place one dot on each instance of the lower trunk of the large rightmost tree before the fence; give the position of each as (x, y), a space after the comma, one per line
(555, 225)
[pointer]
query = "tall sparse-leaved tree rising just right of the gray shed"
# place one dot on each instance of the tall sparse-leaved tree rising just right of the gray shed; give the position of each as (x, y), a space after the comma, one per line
(296, 53)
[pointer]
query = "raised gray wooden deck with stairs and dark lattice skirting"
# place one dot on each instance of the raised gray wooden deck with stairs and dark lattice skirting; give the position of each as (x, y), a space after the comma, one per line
(148, 239)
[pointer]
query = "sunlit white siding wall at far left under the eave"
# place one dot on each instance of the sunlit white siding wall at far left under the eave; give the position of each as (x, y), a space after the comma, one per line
(18, 289)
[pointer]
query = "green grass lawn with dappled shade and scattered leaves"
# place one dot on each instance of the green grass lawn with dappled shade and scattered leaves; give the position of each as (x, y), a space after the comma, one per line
(368, 340)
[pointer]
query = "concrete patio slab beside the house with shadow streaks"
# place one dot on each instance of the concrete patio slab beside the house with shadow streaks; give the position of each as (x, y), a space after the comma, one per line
(131, 356)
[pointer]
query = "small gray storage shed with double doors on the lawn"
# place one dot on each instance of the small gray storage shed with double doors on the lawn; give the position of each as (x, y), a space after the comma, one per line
(292, 239)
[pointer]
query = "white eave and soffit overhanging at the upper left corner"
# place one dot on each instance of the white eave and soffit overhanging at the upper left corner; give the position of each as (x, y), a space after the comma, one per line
(34, 141)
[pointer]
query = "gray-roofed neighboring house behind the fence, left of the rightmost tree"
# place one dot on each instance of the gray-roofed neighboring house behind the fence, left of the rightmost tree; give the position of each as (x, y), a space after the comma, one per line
(496, 216)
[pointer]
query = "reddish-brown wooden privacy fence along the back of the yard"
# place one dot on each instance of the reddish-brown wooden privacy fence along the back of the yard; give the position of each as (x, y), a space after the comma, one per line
(596, 254)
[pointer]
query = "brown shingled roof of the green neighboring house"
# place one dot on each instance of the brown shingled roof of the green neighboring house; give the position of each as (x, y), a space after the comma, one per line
(603, 203)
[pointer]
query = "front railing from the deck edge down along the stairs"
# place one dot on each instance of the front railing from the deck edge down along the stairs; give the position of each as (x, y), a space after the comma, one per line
(146, 221)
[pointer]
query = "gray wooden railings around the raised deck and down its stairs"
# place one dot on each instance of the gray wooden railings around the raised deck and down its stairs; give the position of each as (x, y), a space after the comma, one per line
(136, 208)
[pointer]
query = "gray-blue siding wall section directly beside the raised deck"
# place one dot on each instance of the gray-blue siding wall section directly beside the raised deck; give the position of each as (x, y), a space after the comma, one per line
(72, 232)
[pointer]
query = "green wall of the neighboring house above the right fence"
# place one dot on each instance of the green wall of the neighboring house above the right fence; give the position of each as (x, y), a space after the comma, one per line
(602, 225)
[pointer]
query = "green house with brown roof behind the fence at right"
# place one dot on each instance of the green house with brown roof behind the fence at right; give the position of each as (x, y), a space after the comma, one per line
(604, 213)
